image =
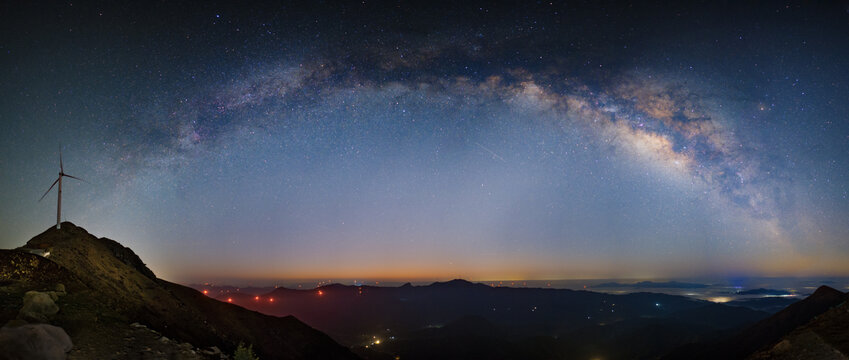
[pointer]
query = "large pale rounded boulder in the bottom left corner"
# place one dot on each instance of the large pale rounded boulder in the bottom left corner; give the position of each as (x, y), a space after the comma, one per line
(34, 342)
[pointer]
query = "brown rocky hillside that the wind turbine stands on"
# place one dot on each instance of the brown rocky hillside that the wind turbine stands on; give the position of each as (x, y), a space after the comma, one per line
(112, 306)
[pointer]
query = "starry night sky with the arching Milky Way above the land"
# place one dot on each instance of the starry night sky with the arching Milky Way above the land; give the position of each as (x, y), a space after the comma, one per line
(408, 141)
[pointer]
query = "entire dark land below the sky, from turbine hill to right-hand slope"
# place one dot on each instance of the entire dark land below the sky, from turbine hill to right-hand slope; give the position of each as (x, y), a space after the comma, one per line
(95, 299)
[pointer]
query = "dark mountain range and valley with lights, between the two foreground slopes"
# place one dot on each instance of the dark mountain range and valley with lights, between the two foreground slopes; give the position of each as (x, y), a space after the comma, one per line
(462, 320)
